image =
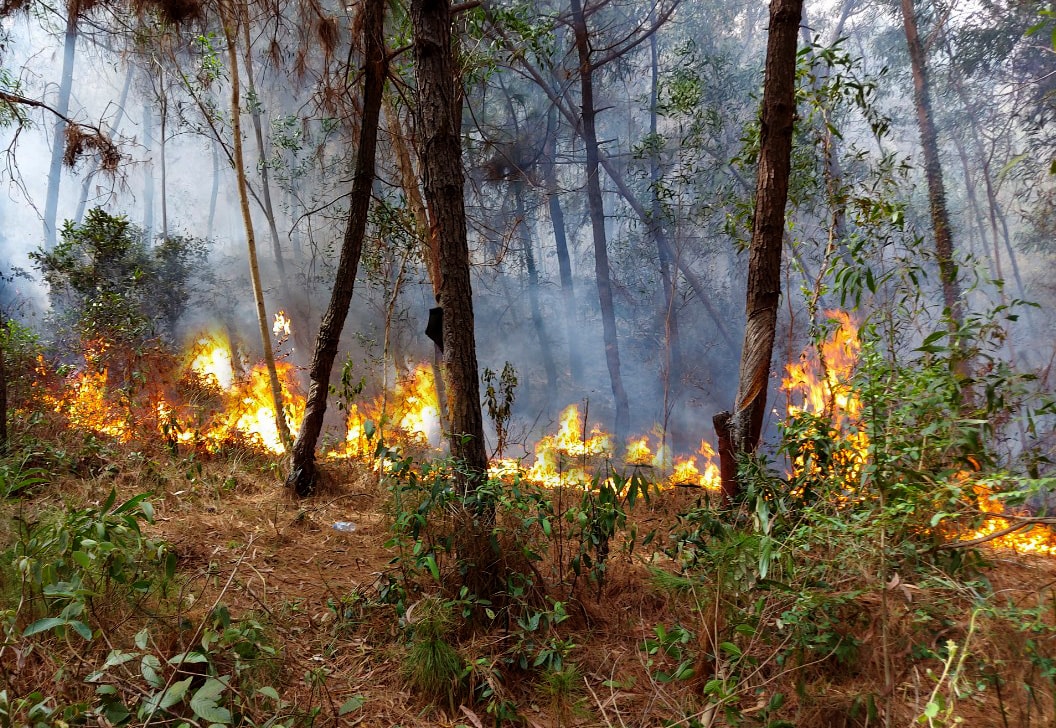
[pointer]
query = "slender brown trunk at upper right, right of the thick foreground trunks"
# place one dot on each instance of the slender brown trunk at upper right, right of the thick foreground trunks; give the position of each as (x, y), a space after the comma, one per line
(933, 170)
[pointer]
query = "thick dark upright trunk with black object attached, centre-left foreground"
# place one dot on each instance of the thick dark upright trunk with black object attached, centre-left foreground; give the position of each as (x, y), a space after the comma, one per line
(440, 136)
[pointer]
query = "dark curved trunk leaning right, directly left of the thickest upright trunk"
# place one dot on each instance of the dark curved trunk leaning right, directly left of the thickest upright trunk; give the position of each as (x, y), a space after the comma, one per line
(303, 474)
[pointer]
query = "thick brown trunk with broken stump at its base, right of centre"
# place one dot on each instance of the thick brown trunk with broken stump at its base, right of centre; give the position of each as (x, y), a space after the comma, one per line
(740, 433)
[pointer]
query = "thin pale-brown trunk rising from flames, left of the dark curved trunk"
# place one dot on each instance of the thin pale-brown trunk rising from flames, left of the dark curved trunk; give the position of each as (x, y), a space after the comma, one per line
(255, 274)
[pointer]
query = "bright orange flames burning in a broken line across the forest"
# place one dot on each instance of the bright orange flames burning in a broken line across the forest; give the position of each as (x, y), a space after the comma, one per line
(236, 403)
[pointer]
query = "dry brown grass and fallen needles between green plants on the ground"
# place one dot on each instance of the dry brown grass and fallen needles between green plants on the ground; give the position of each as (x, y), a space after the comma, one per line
(244, 543)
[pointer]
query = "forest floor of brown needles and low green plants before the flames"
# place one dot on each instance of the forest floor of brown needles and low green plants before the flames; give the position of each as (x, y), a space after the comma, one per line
(282, 576)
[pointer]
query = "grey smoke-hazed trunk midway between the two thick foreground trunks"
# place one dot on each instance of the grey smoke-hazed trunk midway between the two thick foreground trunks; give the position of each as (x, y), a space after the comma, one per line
(597, 209)
